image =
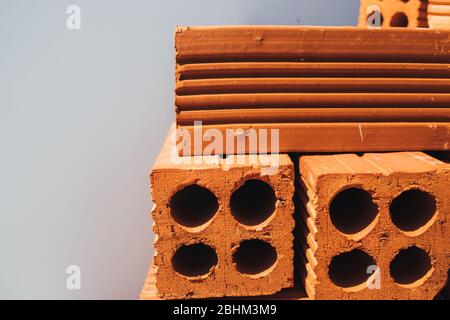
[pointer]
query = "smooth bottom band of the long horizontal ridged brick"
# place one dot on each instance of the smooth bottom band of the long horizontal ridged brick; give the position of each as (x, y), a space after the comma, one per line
(334, 136)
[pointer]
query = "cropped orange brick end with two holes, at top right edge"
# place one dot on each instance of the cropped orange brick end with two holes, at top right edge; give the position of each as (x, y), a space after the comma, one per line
(415, 11)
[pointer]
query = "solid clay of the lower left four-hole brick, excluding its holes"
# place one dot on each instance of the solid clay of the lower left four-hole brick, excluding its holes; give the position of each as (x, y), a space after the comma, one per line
(222, 232)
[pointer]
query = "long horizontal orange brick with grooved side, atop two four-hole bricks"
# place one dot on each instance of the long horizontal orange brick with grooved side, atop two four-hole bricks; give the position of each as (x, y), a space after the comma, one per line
(319, 86)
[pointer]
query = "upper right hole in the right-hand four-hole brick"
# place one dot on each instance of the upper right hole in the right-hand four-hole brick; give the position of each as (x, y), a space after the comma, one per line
(412, 209)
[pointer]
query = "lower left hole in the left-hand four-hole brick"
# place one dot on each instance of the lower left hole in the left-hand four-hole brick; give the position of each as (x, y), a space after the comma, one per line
(194, 260)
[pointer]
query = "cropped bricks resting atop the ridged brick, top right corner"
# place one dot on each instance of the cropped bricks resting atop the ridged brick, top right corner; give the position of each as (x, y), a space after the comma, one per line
(433, 14)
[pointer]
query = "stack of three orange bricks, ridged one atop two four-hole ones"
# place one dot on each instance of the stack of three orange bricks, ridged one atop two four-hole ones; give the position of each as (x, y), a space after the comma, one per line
(321, 226)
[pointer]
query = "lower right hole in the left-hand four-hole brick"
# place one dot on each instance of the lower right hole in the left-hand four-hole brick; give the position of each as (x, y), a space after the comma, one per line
(254, 256)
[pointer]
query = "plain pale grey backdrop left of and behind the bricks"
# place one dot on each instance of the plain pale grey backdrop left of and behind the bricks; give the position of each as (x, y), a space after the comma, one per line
(83, 114)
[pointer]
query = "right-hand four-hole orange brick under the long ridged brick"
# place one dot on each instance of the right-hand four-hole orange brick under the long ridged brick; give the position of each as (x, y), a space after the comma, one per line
(385, 209)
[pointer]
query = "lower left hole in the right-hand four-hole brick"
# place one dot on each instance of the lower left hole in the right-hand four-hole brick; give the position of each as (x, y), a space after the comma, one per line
(350, 269)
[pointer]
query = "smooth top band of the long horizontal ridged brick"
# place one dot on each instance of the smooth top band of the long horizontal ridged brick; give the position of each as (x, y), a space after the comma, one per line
(310, 44)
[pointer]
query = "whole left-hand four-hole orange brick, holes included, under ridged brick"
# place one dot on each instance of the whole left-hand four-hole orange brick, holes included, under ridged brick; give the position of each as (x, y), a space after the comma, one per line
(222, 228)
